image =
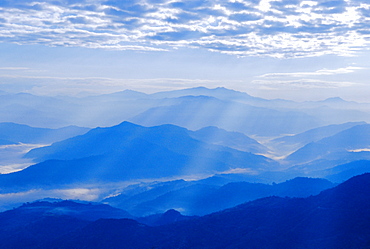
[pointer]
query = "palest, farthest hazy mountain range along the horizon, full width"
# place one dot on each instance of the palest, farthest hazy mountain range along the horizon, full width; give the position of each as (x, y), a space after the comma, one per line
(219, 106)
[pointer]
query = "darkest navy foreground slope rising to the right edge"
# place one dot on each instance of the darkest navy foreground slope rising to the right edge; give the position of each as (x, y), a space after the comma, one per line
(336, 218)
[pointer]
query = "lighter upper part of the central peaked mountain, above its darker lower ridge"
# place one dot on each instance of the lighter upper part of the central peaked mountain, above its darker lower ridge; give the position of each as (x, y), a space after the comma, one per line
(128, 136)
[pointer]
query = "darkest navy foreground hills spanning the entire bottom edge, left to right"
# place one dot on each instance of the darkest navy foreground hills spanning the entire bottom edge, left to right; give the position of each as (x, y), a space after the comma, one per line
(335, 218)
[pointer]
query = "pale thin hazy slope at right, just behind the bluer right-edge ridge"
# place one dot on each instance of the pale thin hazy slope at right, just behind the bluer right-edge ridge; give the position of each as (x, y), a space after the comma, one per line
(289, 144)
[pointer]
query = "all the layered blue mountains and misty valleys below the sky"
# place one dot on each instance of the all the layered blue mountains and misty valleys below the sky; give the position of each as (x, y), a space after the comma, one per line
(190, 168)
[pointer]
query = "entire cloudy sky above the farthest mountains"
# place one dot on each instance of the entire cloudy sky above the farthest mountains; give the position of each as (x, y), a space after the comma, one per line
(291, 49)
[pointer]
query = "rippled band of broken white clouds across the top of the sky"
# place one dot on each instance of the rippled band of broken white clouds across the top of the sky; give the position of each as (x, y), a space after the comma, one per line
(278, 28)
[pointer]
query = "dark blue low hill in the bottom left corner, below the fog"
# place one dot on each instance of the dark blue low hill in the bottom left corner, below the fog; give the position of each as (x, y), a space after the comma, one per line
(35, 223)
